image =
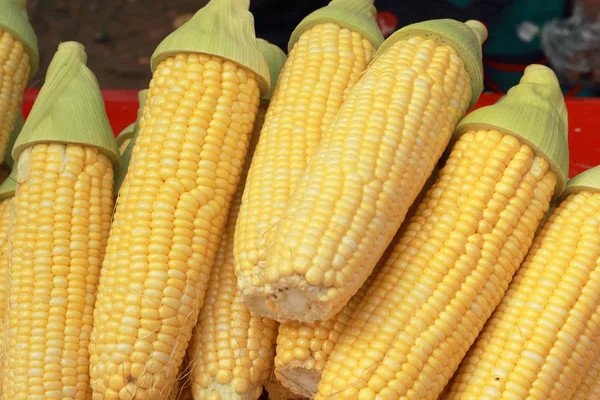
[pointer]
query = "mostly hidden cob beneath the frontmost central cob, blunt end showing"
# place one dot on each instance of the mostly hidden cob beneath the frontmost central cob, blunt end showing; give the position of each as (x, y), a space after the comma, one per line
(303, 348)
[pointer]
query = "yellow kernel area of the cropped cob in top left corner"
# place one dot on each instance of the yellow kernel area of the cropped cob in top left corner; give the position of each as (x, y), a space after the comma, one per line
(15, 67)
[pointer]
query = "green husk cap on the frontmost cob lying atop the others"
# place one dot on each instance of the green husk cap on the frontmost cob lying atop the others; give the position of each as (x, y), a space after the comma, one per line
(466, 38)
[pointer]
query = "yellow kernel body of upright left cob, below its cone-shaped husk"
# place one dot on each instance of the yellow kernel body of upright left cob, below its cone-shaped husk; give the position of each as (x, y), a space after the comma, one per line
(63, 208)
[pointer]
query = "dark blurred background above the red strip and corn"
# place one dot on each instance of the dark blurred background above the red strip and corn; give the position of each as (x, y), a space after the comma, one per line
(120, 35)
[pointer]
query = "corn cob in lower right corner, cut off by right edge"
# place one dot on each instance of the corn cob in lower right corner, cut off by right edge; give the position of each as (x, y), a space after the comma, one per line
(546, 332)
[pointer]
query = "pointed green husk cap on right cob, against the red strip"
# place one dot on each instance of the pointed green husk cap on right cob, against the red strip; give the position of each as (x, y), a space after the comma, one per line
(535, 112)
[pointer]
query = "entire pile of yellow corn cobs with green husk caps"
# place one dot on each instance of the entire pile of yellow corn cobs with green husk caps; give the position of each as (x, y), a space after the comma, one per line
(324, 224)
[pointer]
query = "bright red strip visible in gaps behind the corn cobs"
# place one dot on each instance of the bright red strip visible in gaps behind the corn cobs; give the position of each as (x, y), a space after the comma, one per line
(584, 122)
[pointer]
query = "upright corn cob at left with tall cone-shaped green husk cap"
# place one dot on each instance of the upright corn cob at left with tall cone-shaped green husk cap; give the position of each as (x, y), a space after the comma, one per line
(62, 212)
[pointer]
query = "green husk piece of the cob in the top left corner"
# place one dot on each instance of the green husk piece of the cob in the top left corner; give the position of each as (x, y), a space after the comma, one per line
(13, 18)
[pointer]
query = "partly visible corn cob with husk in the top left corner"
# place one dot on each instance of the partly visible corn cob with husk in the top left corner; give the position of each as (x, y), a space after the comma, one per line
(19, 61)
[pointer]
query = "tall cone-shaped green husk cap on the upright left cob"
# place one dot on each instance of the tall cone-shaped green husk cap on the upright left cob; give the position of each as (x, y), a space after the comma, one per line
(69, 108)
